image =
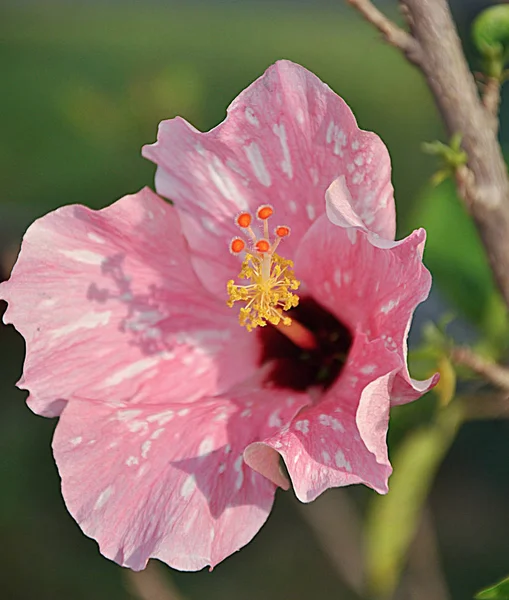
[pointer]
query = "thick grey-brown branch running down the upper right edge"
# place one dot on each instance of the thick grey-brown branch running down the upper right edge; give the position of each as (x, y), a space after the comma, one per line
(484, 182)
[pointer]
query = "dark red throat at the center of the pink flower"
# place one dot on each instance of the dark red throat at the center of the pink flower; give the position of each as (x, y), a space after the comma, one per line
(298, 369)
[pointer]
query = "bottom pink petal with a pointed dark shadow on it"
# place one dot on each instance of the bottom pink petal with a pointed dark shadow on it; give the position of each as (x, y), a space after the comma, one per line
(169, 481)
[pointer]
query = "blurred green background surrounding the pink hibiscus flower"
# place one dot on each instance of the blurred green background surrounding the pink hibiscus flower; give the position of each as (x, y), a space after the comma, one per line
(83, 87)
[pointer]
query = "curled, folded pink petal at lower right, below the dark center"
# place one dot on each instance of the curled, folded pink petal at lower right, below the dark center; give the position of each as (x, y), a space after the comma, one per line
(342, 439)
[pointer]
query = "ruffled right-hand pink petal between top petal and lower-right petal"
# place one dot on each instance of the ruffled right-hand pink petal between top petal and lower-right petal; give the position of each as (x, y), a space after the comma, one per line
(370, 284)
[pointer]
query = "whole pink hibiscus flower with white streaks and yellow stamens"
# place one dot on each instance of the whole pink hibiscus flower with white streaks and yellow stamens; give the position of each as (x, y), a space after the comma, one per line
(175, 408)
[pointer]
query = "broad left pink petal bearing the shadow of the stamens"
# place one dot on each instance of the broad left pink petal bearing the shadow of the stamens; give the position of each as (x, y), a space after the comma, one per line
(110, 307)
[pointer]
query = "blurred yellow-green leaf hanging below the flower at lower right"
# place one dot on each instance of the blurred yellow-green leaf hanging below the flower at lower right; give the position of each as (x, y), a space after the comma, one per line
(392, 520)
